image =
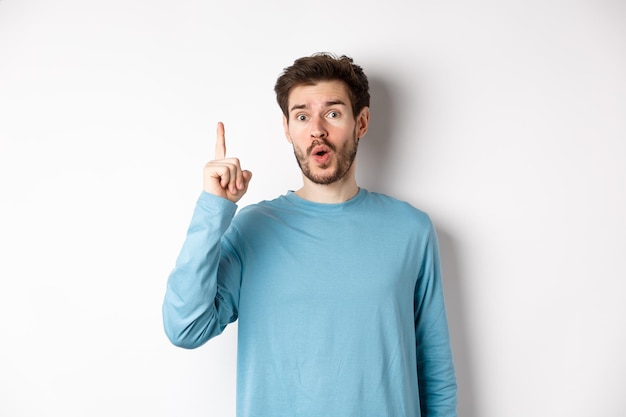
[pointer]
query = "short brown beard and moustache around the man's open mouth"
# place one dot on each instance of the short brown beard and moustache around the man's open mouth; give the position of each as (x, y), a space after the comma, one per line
(344, 158)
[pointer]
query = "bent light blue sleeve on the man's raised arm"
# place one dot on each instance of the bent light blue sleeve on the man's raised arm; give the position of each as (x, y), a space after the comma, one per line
(202, 290)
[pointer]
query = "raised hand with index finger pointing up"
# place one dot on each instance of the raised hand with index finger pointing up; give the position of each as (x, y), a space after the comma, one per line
(223, 176)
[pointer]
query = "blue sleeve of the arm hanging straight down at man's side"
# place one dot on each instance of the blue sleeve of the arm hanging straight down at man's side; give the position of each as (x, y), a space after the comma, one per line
(435, 368)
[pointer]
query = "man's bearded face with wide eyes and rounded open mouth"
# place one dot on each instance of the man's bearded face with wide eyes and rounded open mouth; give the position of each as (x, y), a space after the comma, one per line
(323, 130)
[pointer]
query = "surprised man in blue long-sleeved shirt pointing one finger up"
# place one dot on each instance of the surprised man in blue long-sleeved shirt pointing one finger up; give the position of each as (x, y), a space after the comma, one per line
(337, 290)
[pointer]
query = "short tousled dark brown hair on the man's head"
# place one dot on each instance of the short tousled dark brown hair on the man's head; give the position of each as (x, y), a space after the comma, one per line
(324, 67)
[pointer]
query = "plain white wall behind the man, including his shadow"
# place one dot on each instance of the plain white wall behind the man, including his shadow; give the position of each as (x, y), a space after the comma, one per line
(504, 120)
